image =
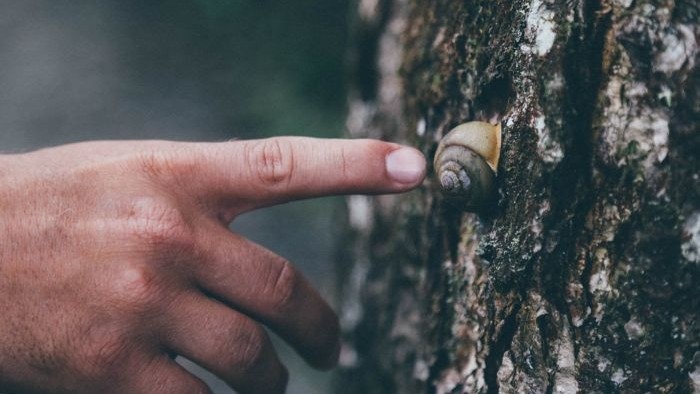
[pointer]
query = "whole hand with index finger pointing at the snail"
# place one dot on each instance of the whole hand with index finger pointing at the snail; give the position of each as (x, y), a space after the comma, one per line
(115, 257)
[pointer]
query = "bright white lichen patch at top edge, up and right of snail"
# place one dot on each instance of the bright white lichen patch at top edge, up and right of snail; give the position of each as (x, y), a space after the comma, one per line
(540, 29)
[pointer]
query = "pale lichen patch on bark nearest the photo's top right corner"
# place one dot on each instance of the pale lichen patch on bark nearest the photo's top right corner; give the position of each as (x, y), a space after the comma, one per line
(679, 47)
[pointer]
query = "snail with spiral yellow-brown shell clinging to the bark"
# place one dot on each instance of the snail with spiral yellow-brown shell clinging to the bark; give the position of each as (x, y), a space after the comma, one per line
(466, 163)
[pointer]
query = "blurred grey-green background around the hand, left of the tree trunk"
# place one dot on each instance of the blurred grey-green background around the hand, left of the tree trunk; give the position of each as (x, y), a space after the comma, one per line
(186, 70)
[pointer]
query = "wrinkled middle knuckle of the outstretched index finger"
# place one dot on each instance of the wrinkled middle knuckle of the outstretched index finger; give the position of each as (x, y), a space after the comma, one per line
(271, 161)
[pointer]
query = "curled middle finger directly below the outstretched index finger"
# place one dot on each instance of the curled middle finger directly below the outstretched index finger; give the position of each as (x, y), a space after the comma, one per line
(265, 286)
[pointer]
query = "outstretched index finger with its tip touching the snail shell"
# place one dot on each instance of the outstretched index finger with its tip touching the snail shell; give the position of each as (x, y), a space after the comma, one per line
(255, 173)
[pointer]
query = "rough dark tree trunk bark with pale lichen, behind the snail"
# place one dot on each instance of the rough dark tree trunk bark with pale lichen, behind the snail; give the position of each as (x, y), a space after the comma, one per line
(585, 274)
